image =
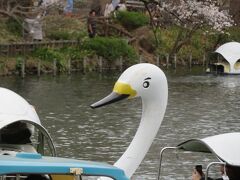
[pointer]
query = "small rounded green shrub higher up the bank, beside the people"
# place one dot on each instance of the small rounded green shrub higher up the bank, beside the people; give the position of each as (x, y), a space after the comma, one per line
(132, 20)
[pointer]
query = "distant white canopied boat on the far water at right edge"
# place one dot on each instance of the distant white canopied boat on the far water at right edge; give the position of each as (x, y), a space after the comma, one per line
(230, 65)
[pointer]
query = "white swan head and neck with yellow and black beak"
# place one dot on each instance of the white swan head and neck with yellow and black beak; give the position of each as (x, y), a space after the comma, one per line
(148, 82)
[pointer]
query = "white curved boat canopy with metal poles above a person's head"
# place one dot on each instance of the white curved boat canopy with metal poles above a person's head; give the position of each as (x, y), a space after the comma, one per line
(225, 147)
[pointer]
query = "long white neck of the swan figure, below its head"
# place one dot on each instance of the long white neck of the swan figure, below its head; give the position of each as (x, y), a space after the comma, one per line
(152, 115)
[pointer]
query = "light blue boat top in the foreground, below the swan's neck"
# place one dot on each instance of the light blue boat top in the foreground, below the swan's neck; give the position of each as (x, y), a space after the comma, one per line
(23, 165)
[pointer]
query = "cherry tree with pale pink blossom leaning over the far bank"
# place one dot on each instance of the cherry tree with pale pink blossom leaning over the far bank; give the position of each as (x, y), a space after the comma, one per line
(189, 16)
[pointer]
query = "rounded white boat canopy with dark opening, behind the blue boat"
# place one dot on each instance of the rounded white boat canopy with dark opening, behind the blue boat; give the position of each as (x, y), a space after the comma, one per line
(19, 122)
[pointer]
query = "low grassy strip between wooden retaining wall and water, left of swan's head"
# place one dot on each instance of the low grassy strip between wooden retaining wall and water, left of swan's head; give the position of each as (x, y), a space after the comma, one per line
(89, 55)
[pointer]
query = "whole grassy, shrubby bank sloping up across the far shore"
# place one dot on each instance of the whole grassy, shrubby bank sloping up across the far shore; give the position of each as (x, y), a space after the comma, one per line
(111, 49)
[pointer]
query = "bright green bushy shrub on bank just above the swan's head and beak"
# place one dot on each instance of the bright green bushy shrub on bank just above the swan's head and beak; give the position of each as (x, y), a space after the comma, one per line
(110, 48)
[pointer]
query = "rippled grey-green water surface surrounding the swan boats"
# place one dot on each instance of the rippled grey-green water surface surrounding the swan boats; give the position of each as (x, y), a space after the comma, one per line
(198, 106)
